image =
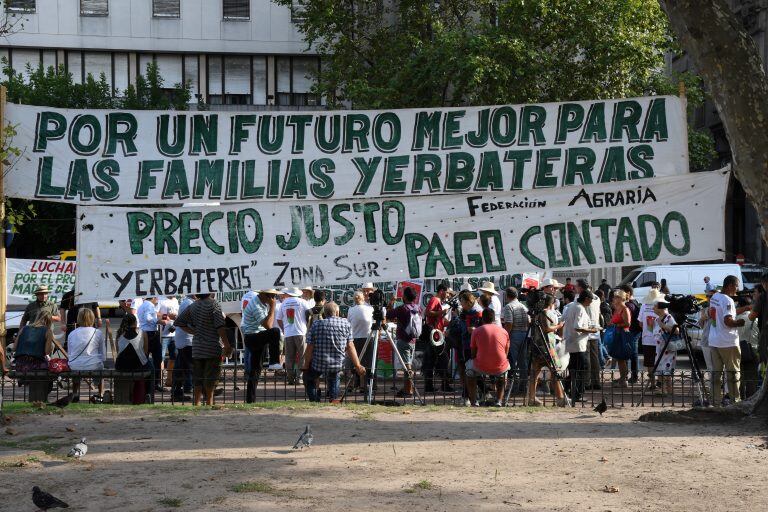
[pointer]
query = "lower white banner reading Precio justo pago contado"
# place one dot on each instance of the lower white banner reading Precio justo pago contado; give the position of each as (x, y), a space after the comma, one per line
(135, 252)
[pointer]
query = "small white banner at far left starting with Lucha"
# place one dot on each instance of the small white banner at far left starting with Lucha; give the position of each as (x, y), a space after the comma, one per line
(25, 276)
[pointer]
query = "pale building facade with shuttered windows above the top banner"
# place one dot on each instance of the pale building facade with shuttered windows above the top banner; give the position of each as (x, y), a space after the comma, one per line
(235, 54)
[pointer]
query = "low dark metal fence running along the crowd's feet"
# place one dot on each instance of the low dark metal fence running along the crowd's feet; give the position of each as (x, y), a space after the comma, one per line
(277, 385)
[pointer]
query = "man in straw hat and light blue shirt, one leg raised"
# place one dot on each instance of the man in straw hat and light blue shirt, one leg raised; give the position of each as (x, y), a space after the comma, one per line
(260, 331)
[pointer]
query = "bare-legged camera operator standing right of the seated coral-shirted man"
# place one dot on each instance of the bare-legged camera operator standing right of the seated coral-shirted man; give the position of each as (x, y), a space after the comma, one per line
(548, 325)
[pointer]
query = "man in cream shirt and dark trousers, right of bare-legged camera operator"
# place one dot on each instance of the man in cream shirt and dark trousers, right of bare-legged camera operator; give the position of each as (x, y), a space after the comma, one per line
(576, 330)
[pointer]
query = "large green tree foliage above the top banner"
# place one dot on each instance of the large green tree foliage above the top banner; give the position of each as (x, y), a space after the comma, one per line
(421, 53)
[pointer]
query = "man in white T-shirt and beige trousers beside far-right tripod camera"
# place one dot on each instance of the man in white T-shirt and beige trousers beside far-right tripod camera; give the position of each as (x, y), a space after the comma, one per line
(724, 340)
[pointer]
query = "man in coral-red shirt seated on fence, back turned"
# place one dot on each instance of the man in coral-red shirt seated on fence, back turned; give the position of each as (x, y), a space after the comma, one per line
(489, 346)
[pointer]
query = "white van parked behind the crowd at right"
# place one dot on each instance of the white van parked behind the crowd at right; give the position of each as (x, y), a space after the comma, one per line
(682, 279)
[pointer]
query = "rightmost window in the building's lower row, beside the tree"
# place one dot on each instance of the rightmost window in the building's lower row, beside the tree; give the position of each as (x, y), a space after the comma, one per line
(294, 81)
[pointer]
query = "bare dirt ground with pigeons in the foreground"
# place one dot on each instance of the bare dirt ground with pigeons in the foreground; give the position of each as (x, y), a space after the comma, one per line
(381, 458)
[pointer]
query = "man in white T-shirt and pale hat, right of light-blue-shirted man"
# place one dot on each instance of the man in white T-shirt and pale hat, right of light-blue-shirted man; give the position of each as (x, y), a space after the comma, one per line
(292, 319)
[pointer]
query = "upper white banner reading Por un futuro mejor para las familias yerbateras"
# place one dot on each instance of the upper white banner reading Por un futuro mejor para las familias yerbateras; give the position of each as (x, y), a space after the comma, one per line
(153, 157)
